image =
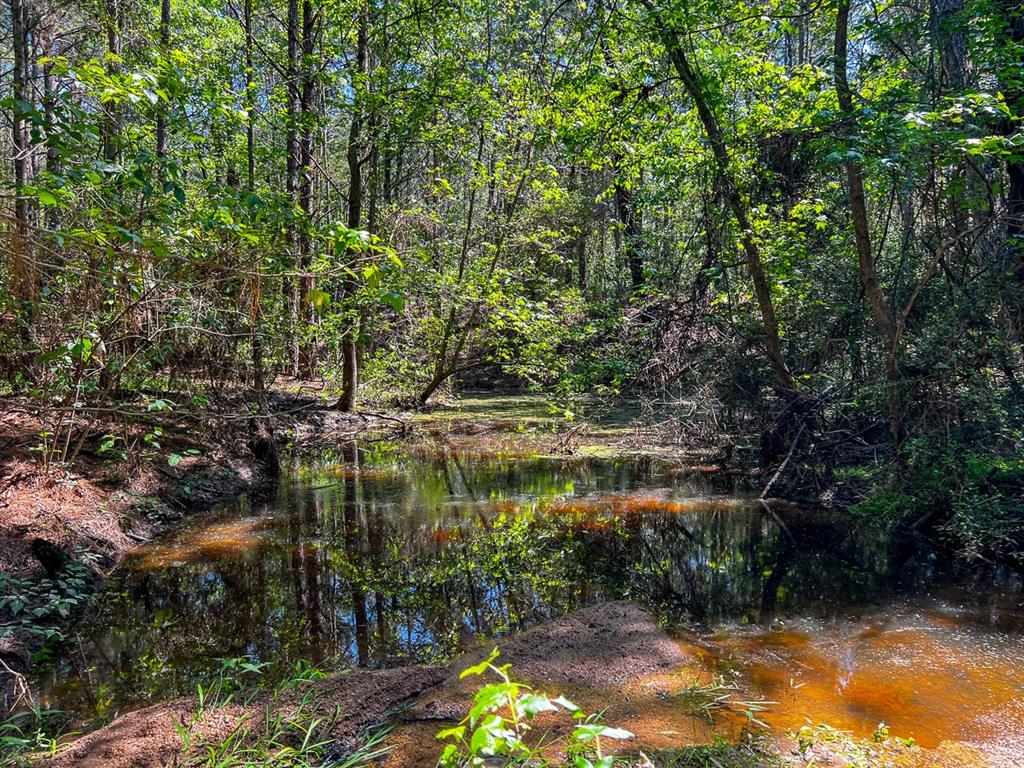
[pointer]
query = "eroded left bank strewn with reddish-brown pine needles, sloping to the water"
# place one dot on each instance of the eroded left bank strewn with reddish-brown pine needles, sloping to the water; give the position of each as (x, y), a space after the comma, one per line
(86, 492)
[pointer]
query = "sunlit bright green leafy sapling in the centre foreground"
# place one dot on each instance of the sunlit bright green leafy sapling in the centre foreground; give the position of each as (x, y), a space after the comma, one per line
(499, 722)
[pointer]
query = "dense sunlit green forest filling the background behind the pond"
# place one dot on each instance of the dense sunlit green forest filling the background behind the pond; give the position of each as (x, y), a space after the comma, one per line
(806, 215)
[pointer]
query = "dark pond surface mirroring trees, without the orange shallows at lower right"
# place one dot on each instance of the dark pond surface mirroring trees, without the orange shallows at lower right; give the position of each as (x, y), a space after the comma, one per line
(382, 556)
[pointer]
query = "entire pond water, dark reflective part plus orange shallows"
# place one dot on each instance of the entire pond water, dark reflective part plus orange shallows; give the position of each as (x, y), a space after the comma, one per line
(387, 556)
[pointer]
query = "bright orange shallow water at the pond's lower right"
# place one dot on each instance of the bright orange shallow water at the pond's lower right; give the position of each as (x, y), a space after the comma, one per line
(915, 675)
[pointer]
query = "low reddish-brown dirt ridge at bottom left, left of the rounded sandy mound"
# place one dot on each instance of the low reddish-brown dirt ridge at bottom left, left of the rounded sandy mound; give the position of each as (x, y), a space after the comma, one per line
(149, 739)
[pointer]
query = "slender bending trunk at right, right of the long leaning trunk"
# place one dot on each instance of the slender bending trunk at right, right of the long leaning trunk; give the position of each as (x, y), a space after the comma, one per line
(862, 233)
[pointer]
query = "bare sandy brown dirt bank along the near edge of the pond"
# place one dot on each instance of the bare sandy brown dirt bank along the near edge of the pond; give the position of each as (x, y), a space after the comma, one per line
(612, 658)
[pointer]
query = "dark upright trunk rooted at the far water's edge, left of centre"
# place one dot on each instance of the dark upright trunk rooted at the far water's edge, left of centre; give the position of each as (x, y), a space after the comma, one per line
(350, 356)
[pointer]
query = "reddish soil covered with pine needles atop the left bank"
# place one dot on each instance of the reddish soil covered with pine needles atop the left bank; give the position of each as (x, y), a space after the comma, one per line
(94, 505)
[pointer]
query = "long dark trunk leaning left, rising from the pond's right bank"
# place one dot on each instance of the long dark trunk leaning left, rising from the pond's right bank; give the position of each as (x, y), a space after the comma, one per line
(752, 252)
